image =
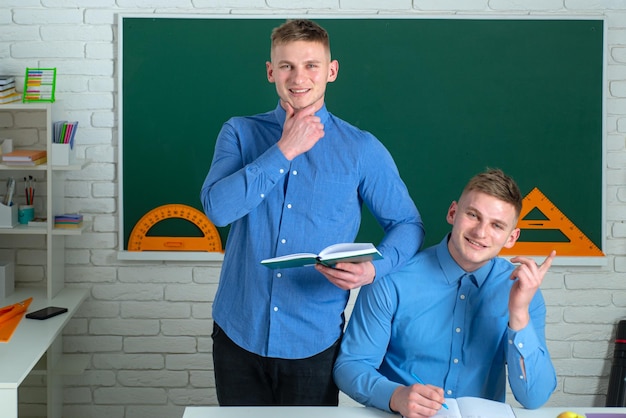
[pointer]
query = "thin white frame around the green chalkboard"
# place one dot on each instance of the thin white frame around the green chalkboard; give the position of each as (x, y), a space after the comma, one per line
(125, 230)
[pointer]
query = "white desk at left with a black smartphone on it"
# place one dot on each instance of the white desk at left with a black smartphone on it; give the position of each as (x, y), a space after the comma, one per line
(31, 340)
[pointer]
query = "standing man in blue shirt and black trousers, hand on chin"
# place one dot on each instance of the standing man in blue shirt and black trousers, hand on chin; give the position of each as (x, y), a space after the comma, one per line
(294, 180)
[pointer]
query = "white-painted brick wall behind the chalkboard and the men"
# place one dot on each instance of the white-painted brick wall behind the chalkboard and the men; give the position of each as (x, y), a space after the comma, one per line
(146, 325)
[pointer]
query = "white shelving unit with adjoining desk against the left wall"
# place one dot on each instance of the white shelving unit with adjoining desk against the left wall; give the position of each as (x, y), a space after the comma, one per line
(33, 338)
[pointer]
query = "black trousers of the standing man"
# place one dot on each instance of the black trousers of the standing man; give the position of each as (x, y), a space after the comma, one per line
(244, 378)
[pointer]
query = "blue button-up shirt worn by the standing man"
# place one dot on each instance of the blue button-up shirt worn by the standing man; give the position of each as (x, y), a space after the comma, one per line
(277, 207)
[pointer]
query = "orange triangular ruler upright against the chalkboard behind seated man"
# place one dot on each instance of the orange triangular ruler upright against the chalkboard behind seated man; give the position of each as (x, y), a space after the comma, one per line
(575, 244)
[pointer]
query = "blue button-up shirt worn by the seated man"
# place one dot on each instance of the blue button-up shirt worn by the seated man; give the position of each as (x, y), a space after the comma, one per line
(447, 327)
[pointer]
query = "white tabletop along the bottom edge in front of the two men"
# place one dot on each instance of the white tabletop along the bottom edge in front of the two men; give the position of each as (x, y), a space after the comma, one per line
(357, 412)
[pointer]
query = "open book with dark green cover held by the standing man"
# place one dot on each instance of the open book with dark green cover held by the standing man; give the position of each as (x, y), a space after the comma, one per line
(329, 256)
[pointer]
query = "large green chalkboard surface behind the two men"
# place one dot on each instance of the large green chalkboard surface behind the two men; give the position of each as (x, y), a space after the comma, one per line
(448, 97)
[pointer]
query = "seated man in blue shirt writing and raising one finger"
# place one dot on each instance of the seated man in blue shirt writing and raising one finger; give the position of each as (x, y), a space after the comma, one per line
(454, 316)
